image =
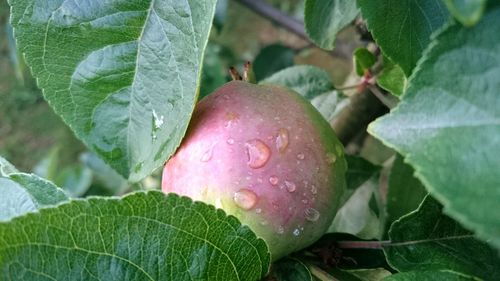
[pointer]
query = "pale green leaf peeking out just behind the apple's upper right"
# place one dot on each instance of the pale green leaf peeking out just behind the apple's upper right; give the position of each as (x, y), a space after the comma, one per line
(307, 80)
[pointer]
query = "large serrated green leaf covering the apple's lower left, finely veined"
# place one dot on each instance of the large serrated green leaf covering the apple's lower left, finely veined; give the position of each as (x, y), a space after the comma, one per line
(144, 236)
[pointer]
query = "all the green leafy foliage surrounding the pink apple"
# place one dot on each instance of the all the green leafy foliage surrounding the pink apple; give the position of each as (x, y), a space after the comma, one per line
(124, 76)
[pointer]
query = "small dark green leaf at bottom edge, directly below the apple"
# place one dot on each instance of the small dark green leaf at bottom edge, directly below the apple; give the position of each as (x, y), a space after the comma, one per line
(290, 269)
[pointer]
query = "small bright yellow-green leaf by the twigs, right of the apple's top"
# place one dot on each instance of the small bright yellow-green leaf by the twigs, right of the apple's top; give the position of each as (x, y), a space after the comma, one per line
(392, 78)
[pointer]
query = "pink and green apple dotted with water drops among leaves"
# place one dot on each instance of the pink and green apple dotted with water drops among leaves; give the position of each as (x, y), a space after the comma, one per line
(265, 155)
